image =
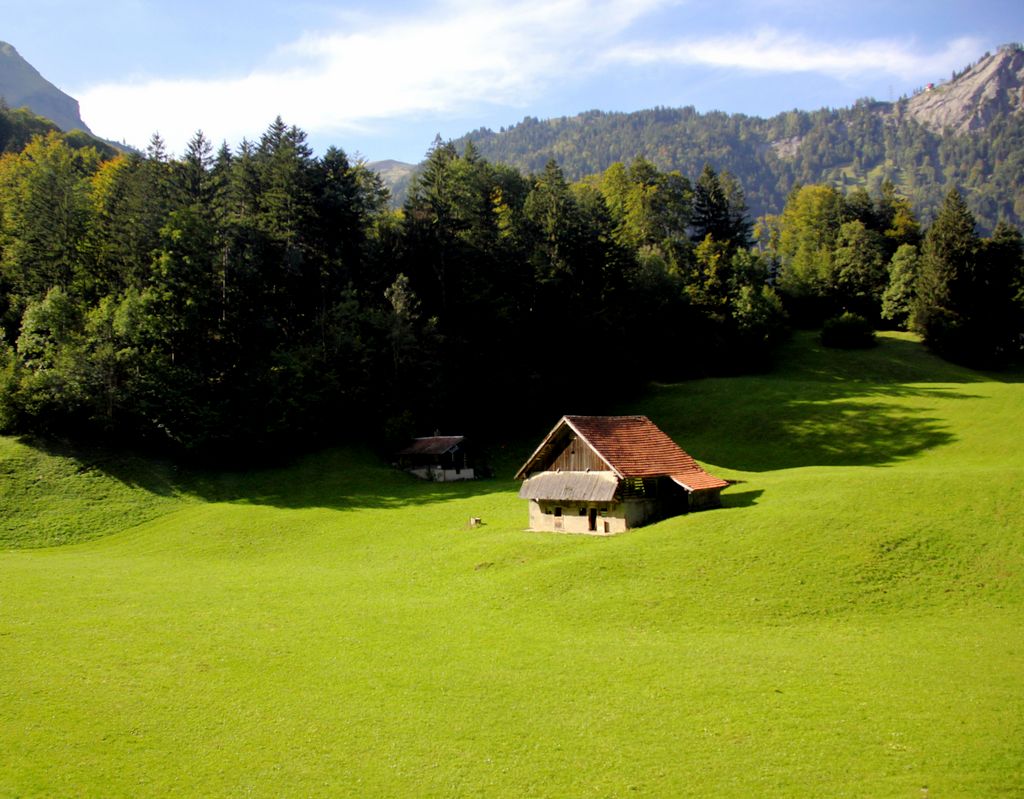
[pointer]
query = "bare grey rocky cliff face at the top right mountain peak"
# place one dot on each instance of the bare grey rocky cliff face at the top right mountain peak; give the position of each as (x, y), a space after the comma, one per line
(995, 86)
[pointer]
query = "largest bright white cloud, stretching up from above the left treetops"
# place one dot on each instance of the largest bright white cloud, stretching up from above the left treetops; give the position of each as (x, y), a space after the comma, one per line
(461, 54)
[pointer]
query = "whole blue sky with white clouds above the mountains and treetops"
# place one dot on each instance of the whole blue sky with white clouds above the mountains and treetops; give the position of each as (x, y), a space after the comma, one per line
(381, 79)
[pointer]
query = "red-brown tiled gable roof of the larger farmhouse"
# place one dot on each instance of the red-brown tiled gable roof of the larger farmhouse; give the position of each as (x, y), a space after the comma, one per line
(631, 446)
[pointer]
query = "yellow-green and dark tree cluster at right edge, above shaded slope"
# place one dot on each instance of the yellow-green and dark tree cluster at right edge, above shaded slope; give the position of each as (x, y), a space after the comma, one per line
(852, 254)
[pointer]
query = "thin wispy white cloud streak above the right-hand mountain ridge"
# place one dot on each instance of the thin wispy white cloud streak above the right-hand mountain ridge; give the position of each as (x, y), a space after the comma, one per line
(771, 51)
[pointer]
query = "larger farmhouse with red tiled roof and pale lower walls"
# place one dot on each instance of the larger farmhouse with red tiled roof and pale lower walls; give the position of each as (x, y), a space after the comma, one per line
(604, 475)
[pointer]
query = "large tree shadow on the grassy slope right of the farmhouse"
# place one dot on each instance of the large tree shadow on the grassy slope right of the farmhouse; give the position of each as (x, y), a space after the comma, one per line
(822, 408)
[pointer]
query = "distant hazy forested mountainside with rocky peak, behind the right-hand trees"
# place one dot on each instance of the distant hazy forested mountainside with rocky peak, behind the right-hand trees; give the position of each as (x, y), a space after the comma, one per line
(968, 135)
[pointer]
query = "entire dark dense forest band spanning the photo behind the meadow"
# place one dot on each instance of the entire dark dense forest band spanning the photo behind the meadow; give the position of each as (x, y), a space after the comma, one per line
(252, 300)
